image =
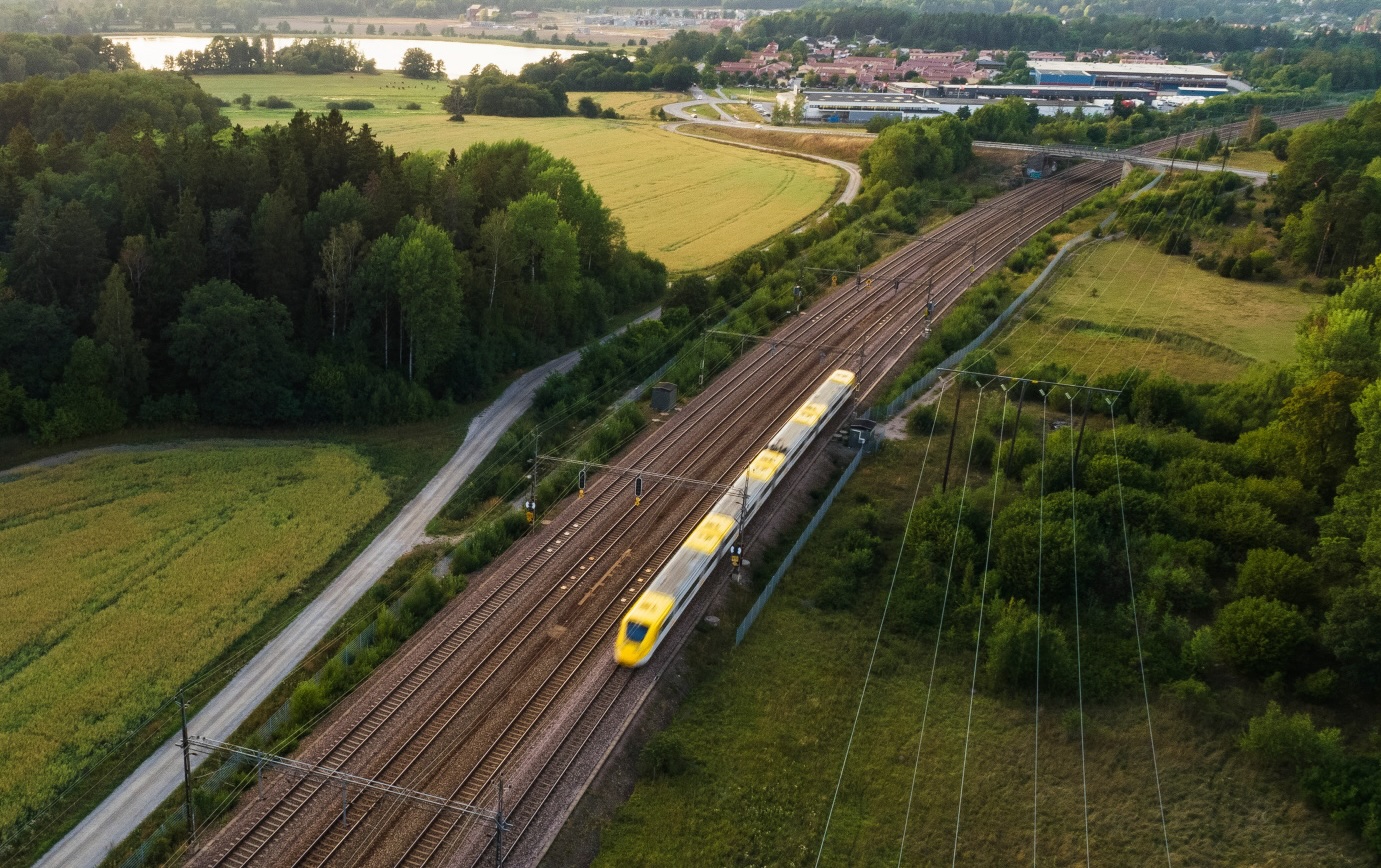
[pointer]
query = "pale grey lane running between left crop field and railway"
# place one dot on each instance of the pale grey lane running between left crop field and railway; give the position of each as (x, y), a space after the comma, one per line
(115, 819)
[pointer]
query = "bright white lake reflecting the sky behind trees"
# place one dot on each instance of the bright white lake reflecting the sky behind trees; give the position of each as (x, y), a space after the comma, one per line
(387, 53)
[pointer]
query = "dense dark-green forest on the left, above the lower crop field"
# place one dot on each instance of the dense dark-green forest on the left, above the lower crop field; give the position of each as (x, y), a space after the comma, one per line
(162, 266)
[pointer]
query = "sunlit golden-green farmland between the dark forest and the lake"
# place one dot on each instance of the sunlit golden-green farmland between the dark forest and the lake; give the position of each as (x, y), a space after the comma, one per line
(688, 204)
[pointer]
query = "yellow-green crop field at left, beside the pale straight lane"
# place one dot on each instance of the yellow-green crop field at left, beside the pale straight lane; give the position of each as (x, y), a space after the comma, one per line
(129, 573)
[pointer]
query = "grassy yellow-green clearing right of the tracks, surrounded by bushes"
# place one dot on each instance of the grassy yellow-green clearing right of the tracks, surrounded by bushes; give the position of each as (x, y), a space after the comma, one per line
(1121, 304)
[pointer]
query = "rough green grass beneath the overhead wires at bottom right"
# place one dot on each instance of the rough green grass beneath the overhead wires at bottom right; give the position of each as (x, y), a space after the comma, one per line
(766, 731)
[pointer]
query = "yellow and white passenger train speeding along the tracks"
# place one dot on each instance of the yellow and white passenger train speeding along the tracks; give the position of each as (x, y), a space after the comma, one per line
(657, 611)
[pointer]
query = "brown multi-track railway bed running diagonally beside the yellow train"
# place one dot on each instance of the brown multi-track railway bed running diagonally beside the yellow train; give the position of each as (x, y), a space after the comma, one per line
(441, 717)
